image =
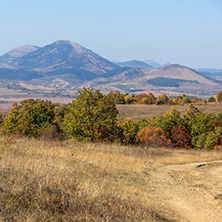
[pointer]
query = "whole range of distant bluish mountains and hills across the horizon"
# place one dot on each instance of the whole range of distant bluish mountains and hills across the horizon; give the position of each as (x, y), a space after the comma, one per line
(64, 66)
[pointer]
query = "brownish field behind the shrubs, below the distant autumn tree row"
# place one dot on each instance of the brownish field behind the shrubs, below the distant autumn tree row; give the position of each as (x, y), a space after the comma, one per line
(137, 112)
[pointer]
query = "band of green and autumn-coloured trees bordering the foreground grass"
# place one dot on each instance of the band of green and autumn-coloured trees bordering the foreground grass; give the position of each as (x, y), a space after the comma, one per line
(92, 117)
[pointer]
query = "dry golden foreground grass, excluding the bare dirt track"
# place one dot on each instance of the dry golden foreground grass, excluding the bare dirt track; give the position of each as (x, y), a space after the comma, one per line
(69, 181)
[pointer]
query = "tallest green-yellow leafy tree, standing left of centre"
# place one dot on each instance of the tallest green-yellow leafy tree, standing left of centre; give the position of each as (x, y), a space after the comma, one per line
(91, 117)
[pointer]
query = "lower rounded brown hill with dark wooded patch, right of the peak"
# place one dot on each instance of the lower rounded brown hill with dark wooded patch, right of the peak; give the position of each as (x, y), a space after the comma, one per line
(173, 80)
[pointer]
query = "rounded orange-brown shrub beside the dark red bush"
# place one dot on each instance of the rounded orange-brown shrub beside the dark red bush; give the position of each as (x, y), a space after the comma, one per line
(151, 136)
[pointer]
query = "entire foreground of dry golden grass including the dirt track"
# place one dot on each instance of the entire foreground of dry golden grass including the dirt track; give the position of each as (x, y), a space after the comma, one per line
(70, 181)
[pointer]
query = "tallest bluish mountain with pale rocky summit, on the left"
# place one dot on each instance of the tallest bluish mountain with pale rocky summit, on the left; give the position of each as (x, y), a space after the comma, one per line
(58, 58)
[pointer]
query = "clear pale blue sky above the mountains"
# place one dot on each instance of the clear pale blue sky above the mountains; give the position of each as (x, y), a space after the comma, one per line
(188, 32)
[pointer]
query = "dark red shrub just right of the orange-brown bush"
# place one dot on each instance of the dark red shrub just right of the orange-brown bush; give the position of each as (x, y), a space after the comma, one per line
(180, 137)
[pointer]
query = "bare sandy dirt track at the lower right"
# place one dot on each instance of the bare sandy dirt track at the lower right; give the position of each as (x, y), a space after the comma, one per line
(188, 192)
